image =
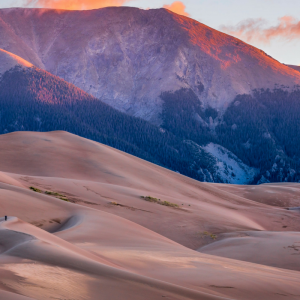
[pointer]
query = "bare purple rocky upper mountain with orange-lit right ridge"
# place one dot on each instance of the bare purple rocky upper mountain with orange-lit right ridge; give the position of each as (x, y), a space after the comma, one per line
(127, 56)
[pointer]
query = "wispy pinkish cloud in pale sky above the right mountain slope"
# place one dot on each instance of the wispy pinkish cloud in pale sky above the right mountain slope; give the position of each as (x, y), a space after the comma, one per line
(257, 30)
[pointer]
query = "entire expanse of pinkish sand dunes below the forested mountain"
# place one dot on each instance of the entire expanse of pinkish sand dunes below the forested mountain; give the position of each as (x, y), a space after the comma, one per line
(93, 236)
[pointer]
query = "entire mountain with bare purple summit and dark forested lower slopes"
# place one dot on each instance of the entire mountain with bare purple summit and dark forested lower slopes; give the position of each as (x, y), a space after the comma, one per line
(225, 111)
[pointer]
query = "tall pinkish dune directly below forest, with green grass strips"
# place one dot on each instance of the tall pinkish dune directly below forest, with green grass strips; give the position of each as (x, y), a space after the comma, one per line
(95, 175)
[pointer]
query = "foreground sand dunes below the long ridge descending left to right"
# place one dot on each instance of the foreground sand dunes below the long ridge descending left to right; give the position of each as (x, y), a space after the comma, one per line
(87, 252)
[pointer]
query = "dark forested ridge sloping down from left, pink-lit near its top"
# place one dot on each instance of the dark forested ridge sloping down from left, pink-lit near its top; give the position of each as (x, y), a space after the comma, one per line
(41, 101)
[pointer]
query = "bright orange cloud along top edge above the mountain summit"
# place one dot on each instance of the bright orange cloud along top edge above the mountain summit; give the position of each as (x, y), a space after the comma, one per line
(75, 4)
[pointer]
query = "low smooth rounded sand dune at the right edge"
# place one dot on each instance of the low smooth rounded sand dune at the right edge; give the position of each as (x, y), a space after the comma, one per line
(277, 249)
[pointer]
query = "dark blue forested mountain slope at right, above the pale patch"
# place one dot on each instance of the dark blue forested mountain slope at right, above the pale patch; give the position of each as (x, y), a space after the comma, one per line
(260, 129)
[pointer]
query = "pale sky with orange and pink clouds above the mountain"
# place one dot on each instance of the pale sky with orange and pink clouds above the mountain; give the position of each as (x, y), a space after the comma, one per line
(271, 25)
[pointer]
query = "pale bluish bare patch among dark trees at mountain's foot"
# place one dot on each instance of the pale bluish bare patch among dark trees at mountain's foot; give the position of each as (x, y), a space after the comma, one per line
(228, 167)
